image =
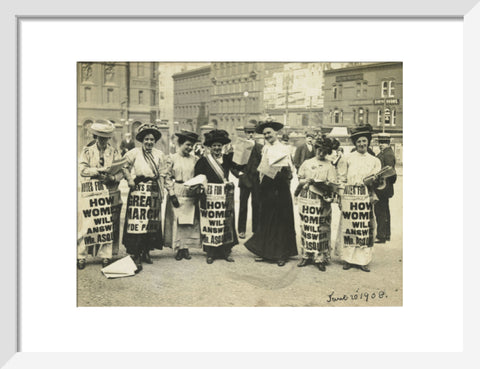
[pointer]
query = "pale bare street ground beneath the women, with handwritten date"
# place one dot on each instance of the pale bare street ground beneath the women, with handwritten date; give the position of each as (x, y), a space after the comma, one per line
(248, 283)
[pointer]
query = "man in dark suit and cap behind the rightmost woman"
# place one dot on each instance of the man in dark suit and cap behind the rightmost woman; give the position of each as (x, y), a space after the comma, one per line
(382, 208)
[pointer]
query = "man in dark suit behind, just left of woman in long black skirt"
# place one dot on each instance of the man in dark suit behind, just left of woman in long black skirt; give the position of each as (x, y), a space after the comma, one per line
(249, 183)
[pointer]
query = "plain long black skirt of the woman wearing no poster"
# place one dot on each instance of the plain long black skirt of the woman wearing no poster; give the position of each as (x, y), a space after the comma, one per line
(275, 236)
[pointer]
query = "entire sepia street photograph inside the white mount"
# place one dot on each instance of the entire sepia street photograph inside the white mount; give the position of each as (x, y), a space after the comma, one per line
(239, 184)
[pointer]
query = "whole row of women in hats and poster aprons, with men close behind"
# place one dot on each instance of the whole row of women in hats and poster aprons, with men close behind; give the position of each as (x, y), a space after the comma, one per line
(326, 177)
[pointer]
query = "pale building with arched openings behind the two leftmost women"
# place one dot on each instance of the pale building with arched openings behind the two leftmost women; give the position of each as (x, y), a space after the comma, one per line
(124, 93)
